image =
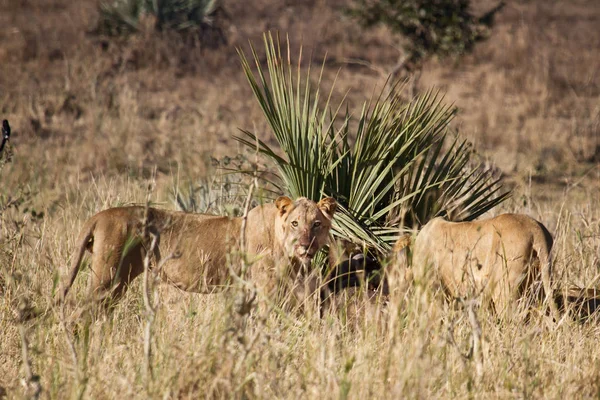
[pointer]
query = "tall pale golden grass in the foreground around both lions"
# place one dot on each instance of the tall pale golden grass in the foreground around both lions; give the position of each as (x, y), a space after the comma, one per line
(416, 346)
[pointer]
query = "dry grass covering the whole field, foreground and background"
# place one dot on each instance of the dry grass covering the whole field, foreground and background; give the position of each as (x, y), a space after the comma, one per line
(92, 122)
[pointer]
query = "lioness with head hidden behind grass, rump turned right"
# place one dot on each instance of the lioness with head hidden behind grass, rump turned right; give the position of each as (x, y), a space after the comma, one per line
(499, 258)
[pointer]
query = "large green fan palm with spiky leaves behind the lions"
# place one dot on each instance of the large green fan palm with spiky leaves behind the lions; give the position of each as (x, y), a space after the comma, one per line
(393, 169)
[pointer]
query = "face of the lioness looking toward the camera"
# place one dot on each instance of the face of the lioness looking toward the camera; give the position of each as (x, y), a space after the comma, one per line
(303, 226)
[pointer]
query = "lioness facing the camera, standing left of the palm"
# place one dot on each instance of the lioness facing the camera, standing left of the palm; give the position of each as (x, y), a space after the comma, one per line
(284, 233)
